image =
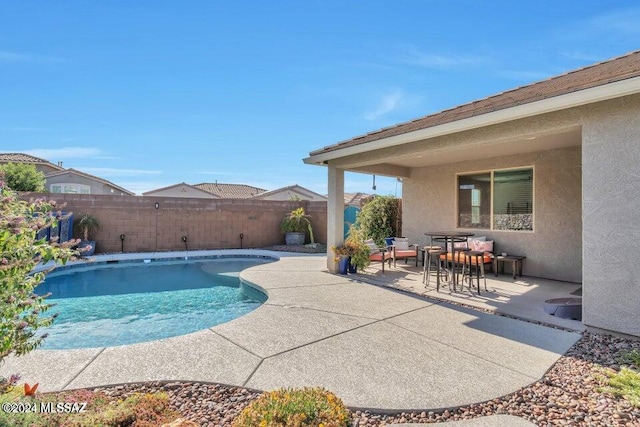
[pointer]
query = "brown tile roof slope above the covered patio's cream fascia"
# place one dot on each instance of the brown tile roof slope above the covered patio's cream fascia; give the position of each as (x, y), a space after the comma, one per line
(610, 71)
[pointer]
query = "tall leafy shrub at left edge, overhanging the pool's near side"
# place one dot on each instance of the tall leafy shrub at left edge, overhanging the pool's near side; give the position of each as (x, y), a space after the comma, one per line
(21, 309)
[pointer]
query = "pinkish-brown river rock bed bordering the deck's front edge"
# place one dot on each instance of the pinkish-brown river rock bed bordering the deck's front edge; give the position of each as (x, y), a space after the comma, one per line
(567, 395)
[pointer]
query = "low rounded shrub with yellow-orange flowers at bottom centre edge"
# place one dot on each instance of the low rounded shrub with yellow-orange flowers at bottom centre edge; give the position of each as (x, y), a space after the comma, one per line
(304, 407)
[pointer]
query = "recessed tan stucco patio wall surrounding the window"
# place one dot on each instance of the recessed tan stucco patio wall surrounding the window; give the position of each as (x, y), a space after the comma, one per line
(553, 249)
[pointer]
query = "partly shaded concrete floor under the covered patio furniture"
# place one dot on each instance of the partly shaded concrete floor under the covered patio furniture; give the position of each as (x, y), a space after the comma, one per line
(522, 298)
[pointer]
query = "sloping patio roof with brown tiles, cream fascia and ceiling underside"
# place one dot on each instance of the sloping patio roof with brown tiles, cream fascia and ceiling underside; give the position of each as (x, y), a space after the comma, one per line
(599, 82)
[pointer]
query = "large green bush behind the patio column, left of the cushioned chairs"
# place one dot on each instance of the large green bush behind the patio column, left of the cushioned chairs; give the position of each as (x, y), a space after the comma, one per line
(379, 218)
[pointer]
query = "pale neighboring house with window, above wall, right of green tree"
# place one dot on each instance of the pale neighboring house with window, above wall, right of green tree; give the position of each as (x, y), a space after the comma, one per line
(75, 182)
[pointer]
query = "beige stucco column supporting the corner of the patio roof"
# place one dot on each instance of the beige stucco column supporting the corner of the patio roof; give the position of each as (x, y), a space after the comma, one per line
(335, 214)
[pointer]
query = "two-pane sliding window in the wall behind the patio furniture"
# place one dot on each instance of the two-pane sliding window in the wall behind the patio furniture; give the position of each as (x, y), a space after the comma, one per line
(496, 200)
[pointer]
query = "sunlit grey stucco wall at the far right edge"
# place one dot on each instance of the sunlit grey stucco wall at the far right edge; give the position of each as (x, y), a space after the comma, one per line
(611, 215)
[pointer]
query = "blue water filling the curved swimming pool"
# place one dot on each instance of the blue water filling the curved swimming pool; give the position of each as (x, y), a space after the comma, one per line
(116, 304)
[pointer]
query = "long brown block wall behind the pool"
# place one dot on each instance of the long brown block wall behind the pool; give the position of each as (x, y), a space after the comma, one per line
(208, 224)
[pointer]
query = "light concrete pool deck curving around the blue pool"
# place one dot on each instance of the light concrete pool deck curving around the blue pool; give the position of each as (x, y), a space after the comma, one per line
(376, 348)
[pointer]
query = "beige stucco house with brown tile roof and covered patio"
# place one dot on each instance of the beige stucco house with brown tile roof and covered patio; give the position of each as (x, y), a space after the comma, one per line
(548, 170)
